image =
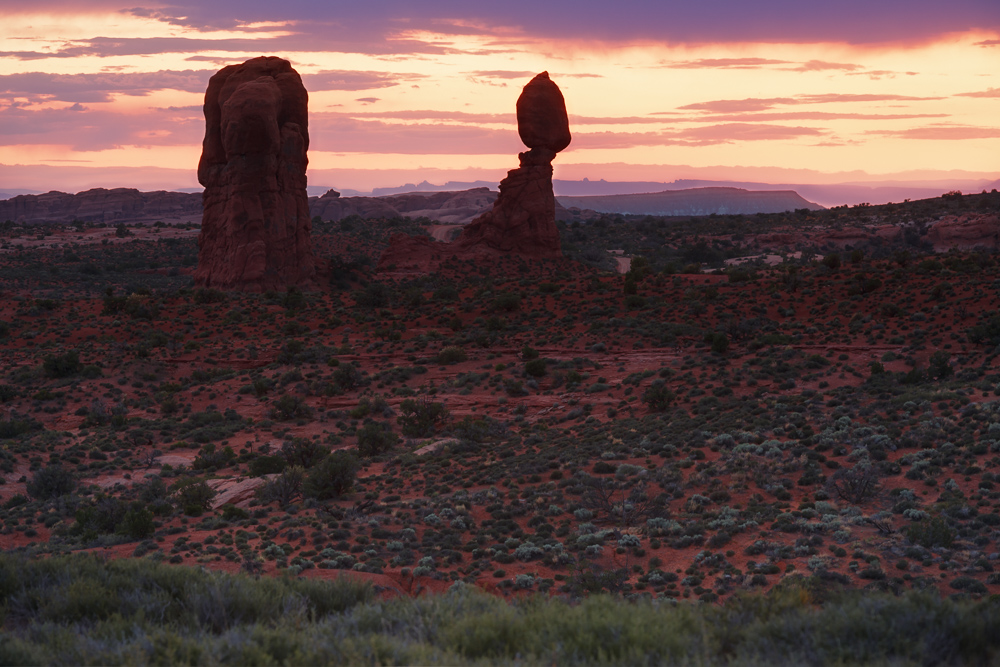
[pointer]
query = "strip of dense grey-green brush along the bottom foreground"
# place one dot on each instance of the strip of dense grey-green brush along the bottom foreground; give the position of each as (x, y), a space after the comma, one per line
(81, 610)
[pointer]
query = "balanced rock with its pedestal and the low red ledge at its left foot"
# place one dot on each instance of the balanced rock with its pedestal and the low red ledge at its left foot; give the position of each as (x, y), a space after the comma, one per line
(522, 220)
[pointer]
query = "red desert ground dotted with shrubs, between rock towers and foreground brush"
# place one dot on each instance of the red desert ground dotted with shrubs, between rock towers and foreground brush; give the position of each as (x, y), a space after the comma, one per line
(656, 421)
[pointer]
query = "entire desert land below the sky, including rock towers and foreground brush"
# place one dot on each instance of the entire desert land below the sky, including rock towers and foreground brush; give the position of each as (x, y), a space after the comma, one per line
(706, 425)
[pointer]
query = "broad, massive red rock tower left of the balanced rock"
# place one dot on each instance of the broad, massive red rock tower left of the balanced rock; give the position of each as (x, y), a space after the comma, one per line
(255, 224)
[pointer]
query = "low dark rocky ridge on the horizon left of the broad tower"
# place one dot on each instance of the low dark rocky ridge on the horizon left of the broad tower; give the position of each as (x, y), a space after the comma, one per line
(102, 205)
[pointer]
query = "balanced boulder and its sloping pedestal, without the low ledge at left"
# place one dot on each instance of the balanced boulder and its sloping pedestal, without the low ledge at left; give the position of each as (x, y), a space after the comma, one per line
(523, 220)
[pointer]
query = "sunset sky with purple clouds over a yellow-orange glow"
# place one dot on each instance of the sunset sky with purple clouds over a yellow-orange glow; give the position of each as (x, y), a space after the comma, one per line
(107, 93)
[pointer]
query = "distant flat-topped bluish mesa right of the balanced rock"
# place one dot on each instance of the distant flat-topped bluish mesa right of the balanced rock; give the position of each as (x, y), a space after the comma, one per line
(696, 201)
